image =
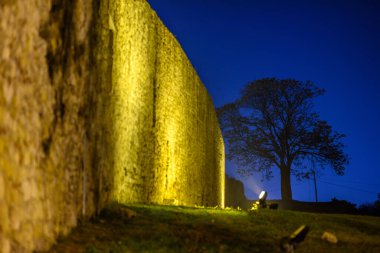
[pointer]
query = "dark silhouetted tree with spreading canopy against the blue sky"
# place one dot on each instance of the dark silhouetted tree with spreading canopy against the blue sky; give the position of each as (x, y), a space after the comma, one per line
(273, 124)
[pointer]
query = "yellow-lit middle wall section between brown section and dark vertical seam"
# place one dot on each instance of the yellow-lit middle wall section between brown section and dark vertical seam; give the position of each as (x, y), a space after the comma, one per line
(133, 75)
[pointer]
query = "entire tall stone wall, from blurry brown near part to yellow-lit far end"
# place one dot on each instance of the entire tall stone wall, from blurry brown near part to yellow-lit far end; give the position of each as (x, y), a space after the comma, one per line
(98, 103)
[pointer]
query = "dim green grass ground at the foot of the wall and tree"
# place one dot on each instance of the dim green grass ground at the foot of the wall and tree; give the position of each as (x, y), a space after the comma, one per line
(186, 229)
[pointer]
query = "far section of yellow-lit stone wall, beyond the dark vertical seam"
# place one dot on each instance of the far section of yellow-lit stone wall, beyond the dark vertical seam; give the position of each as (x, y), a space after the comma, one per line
(187, 131)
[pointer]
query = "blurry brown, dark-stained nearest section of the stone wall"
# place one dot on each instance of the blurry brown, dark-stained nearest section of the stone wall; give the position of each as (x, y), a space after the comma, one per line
(46, 150)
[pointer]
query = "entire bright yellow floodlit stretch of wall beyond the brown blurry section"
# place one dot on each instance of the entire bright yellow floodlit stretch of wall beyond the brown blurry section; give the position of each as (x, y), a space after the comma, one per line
(168, 145)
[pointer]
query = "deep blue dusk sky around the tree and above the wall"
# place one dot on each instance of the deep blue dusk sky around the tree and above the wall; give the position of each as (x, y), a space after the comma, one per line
(335, 44)
